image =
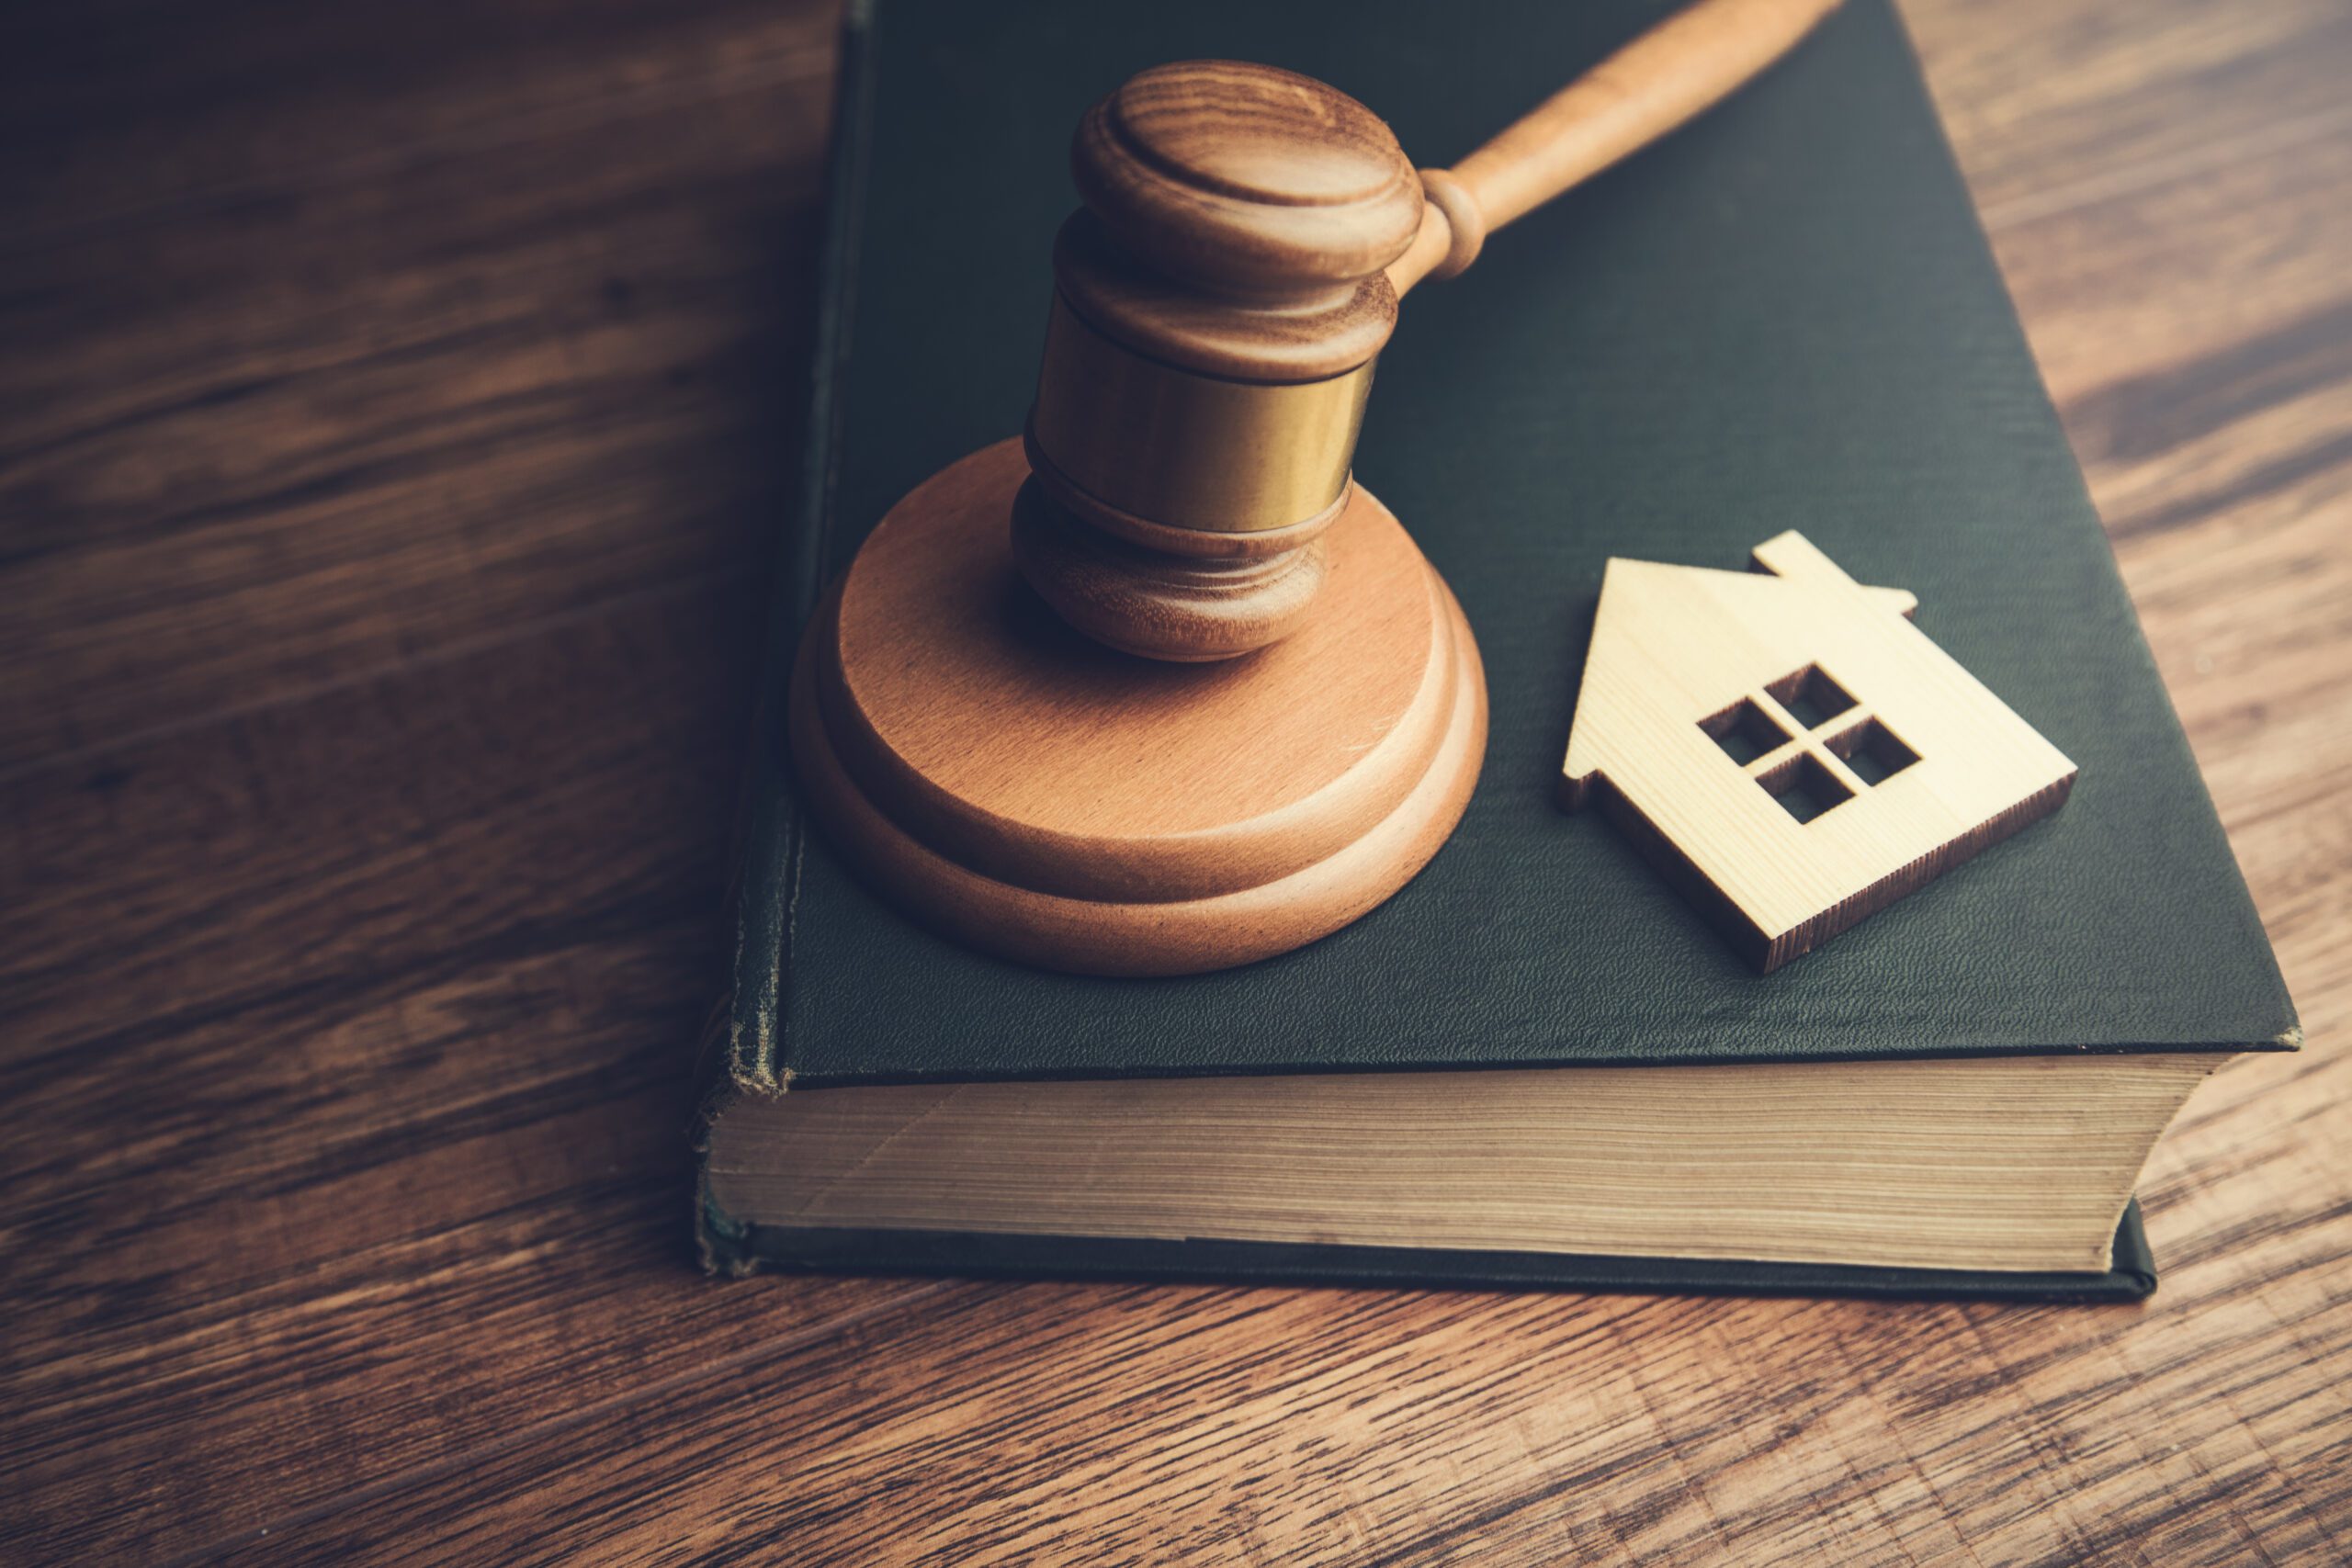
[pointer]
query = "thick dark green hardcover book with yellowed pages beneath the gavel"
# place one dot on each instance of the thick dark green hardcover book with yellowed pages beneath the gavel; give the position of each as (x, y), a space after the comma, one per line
(1535, 1066)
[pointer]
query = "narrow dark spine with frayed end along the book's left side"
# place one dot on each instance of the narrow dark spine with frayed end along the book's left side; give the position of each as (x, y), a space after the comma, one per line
(744, 1047)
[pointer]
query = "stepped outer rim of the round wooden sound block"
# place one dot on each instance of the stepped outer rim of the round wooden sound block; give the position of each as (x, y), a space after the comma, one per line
(1144, 937)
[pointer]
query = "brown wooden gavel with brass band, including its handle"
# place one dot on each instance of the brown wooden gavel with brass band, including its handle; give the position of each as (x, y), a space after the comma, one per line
(1224, 295)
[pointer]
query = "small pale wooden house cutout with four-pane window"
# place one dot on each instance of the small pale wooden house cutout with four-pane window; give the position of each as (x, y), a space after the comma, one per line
(1789, 749)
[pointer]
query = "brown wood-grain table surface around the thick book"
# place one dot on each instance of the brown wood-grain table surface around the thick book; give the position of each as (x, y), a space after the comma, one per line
(394, 434)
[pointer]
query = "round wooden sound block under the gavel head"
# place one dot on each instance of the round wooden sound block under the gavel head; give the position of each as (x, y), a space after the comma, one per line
(1057, 803)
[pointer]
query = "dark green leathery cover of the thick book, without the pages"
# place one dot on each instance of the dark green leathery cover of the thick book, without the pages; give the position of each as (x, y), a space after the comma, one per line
(1782, 319)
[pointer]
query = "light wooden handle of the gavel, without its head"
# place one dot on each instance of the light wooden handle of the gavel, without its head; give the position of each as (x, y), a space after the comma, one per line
(1645, 91)
